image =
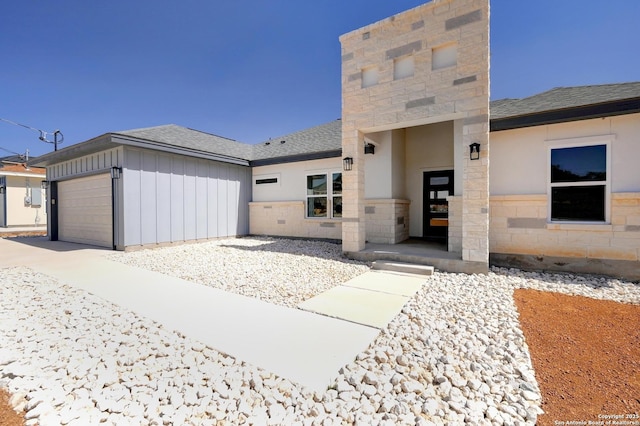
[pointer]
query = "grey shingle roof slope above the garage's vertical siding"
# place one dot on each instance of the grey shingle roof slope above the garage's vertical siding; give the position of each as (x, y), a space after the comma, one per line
(184, 137)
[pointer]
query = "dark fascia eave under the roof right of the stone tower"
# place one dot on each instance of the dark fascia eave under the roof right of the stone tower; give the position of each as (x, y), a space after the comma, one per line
(584, 112)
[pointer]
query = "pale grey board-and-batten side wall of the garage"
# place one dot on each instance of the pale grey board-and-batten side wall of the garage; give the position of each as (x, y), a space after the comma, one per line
(172, 198)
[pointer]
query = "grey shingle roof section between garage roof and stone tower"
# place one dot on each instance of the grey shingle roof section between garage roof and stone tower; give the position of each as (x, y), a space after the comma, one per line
(322, 138)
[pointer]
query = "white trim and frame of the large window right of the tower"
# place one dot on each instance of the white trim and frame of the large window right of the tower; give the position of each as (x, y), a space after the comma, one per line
(552, 144)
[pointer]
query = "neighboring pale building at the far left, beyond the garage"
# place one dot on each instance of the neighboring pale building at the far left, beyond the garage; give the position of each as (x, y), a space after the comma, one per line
(22, 199)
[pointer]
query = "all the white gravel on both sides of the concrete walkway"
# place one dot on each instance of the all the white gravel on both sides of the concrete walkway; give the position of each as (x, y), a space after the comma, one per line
(454, 355)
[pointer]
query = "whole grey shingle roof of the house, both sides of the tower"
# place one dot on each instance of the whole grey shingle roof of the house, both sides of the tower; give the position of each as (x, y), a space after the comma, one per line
(325, 140)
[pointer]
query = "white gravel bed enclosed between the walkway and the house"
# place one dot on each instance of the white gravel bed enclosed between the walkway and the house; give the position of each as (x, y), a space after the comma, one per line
(281, 271)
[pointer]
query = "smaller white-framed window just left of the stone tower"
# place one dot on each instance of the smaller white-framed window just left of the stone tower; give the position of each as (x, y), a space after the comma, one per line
(324, 195)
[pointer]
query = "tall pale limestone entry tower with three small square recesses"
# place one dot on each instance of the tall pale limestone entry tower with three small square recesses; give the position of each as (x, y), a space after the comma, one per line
(427, 65)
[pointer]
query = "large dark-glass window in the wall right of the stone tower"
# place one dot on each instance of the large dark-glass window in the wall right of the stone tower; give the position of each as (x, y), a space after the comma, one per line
(579, 183)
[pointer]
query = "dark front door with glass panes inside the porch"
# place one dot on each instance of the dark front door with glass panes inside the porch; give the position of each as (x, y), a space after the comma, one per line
(437, 187)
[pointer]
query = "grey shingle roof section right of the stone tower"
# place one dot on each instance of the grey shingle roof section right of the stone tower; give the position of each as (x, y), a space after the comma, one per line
(563, 98)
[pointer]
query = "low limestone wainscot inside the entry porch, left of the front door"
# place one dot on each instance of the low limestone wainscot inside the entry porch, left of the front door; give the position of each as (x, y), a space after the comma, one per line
(387, 220)
